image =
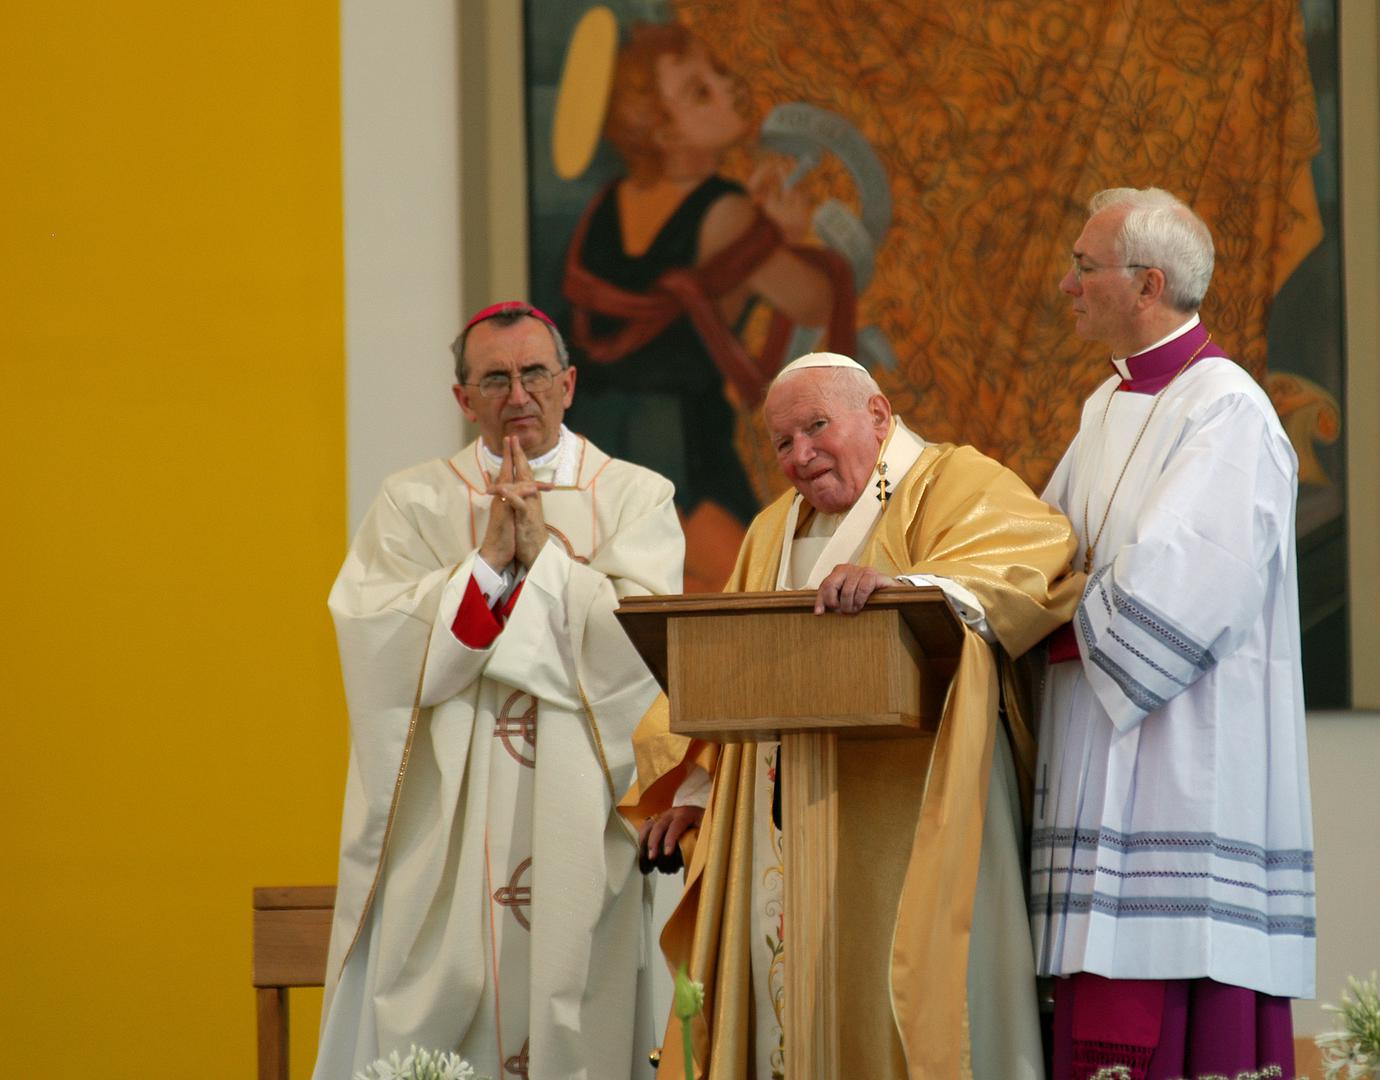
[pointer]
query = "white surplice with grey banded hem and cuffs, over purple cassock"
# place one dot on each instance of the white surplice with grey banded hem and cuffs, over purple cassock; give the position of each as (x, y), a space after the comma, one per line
(1172, 834)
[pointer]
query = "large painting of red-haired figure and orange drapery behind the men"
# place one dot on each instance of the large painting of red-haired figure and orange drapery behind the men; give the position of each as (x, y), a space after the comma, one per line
(720, 187)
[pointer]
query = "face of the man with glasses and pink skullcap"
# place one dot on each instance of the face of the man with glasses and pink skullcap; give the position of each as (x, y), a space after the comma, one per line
(535, 417)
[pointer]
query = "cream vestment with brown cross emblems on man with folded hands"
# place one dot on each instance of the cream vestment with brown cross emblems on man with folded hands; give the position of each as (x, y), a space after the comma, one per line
(489, 899)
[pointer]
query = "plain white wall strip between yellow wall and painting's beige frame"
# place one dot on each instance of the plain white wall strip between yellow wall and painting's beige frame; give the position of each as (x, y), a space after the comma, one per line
(401, 161)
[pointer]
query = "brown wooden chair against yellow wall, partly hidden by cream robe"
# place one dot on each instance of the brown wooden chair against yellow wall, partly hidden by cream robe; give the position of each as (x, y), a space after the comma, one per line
(292, 934)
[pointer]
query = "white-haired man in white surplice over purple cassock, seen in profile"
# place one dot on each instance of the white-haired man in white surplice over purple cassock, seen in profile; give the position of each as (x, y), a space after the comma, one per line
(1172, 857)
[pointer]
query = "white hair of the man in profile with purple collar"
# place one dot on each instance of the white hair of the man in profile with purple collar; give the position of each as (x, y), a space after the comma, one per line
(1163, 231)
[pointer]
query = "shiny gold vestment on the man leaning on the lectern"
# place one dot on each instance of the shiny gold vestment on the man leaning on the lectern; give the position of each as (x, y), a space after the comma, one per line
(956, 515)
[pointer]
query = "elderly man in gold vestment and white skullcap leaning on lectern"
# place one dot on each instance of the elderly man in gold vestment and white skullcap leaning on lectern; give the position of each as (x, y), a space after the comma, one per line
(958, 994)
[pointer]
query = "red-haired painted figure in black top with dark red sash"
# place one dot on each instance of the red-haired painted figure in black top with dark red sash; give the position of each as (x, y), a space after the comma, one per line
(662, 274)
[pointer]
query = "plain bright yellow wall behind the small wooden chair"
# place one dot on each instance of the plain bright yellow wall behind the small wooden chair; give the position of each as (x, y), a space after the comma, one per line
(172, 446)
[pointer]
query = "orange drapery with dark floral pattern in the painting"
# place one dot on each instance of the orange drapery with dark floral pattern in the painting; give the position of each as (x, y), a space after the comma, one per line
(996, 122)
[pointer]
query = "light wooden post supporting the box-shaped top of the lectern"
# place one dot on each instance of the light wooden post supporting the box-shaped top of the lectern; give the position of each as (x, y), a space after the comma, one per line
(811, 803)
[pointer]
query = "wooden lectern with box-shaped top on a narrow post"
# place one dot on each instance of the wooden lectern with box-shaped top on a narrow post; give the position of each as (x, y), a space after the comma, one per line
(761, 667)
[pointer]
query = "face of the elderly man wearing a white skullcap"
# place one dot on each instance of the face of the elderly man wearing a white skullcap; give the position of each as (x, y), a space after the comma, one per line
(827, 450)
